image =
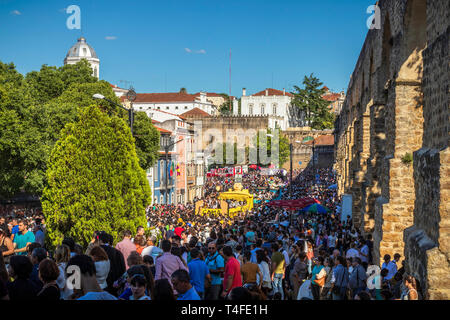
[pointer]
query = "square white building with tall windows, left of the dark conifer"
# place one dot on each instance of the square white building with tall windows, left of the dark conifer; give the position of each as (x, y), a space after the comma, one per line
(270, 102)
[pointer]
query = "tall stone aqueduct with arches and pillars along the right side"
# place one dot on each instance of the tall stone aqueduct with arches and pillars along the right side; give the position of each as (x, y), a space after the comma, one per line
(397, 105)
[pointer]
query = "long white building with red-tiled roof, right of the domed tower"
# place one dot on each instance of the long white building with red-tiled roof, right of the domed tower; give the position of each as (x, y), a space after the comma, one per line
(173, 102)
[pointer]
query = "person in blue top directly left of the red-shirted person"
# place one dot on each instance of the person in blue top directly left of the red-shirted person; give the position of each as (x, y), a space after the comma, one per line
(216, 266)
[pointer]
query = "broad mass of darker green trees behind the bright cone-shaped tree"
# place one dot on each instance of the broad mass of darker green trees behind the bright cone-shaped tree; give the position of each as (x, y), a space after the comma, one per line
(34, 109)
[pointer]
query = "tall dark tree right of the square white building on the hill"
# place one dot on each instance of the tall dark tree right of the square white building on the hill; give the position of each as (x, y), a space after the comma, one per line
(310, 102)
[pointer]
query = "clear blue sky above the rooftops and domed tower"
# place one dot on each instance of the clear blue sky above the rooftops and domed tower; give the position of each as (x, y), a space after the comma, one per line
(164, 45)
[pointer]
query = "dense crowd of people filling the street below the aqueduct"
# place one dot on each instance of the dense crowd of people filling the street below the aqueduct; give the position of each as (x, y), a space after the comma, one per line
(268, 253)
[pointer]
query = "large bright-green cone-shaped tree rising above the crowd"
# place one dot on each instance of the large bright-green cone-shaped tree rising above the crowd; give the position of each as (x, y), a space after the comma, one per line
(94, 180)
